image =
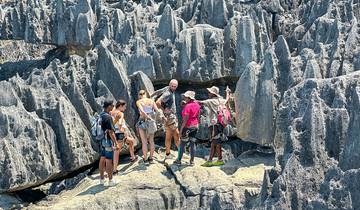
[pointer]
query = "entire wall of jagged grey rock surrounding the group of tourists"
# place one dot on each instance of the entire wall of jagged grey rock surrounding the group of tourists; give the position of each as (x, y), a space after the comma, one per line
(297, 91)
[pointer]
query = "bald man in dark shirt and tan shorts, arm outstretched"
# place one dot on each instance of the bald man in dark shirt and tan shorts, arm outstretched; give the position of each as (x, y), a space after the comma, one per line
(168, 105)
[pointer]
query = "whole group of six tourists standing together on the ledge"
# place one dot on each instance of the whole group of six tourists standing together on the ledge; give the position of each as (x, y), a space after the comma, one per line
(112, 130)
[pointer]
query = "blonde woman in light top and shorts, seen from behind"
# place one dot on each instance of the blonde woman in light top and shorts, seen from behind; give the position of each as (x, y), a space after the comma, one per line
(146, 125)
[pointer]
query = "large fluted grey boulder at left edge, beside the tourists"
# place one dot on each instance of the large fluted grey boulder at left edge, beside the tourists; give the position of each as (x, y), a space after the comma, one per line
(51, 139)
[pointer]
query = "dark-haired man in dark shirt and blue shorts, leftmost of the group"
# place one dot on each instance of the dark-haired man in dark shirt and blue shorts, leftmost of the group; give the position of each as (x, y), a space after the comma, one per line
(108, 144)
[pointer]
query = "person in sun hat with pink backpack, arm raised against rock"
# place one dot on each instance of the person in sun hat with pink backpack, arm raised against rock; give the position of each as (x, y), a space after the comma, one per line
(217, 116)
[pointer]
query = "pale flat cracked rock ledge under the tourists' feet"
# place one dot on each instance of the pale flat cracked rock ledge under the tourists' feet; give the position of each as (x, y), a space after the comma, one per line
(167, 186)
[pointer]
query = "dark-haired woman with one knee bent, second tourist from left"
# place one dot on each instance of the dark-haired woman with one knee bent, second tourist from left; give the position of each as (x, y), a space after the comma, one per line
(121, 136)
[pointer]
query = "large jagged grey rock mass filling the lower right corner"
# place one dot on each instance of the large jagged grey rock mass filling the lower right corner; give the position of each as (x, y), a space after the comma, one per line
(318, 145)
